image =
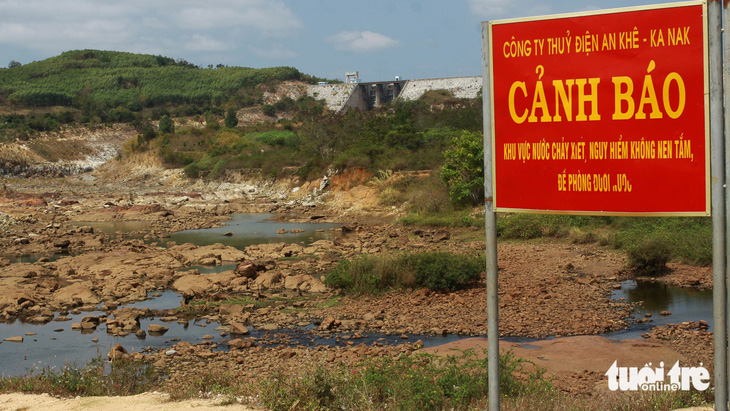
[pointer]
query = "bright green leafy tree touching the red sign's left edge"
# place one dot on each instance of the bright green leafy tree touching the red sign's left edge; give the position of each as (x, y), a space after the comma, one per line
(463, 169)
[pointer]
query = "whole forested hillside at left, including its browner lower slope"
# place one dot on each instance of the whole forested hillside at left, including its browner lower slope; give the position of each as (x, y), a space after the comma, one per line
(102, 87)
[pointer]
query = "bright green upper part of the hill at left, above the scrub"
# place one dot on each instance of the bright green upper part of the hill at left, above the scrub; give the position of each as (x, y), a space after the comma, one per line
(111, 79)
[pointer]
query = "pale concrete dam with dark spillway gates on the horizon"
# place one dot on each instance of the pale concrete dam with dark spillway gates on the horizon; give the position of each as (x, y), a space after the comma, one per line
(366, 96)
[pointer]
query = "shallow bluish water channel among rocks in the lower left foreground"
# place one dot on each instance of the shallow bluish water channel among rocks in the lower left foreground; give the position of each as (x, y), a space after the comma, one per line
(51, 348)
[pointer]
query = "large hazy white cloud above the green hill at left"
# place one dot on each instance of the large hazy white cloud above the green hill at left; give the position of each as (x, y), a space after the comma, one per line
(170, 27)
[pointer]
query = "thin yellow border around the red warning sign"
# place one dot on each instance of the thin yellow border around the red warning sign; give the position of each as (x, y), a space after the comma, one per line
(706, 64)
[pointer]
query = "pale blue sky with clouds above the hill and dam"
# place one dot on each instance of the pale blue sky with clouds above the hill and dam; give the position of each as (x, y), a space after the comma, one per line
(326, 38)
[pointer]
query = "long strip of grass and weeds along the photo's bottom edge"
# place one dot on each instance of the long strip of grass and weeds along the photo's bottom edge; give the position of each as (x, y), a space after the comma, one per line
(419, 381)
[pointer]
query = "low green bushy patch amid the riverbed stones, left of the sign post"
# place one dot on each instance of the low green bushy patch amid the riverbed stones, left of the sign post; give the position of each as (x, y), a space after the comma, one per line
(373, 274)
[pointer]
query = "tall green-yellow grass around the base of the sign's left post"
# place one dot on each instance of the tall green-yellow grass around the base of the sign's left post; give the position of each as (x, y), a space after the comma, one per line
(417, 382)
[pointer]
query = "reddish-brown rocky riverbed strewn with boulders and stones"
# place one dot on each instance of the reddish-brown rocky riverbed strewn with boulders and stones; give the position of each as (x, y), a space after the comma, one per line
(547, 288)
